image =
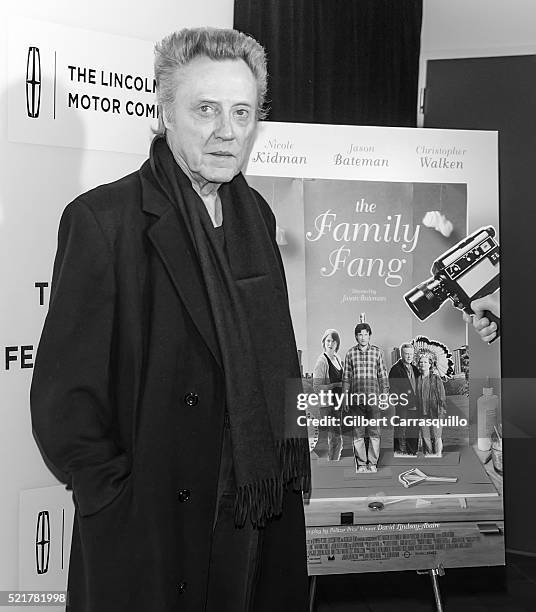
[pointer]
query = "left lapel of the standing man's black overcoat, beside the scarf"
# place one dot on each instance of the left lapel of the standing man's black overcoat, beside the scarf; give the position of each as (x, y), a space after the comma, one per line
(172, 243)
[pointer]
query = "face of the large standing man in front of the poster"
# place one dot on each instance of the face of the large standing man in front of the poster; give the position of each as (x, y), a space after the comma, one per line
(212, 123)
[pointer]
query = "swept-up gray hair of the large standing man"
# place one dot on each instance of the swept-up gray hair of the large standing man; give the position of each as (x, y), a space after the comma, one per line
(179, 48)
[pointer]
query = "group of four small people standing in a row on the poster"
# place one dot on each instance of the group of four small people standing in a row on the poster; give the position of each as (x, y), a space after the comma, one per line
(360, 379)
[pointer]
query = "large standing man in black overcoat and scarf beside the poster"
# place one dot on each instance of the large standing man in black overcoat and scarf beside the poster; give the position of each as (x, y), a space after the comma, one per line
(159, 385)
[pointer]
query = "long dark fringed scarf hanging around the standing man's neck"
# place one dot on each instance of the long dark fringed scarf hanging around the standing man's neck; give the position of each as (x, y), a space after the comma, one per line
(249, 303)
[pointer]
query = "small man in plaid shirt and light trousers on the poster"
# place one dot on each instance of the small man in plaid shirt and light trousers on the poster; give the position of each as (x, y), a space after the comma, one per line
(365, 376)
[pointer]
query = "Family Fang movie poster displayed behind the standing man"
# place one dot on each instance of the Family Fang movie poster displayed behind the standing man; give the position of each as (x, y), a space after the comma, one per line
(358, 244)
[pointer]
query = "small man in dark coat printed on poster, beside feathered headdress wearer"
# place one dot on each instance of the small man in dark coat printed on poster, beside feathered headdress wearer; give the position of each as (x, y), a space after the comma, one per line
(403, 382)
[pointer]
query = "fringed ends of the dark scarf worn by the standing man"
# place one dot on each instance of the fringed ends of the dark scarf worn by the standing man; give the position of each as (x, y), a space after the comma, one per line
(263, 500)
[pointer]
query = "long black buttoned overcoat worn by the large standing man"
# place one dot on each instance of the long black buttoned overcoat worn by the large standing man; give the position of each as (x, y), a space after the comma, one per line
(128, 405)
